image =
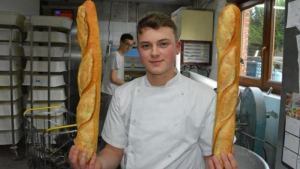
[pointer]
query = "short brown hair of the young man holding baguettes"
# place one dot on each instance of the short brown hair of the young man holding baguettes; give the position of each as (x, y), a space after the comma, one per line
(155, 20)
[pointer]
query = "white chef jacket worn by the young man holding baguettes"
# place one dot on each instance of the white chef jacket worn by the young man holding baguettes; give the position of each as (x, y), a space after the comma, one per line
(162, 127)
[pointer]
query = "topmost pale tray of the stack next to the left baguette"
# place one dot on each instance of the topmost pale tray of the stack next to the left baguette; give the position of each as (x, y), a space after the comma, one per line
(63, 23)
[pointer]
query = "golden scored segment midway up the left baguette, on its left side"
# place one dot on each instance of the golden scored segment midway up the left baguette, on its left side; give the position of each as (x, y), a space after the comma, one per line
(85, 72)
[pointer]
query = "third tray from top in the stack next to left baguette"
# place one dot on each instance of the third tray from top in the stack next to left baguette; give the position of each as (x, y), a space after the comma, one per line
(42, 51)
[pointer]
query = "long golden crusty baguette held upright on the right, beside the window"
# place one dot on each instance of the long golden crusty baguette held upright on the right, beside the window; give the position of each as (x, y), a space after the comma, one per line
(228, 46)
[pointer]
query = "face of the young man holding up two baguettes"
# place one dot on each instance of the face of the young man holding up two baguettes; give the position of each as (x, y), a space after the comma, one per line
(158, 49)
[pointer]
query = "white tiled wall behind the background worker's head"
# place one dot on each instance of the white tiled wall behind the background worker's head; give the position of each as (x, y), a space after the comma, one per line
(116, 29)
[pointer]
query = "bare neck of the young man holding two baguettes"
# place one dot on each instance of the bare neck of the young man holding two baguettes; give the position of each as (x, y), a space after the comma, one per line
(160, 80)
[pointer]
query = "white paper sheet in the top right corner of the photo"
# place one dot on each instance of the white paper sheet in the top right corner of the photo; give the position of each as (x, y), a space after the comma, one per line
(293, 18)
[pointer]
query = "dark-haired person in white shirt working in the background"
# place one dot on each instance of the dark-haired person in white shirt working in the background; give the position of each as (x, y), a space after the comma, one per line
(113, 76)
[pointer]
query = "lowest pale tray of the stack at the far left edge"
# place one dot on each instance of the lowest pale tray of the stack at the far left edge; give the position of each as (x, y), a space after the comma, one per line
(6, 136)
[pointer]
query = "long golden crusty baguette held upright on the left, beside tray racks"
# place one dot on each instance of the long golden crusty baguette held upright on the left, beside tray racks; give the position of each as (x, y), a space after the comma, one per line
(89, 79)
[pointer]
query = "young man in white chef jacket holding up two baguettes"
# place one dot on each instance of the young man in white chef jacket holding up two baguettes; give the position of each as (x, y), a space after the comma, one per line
(161, 120)
